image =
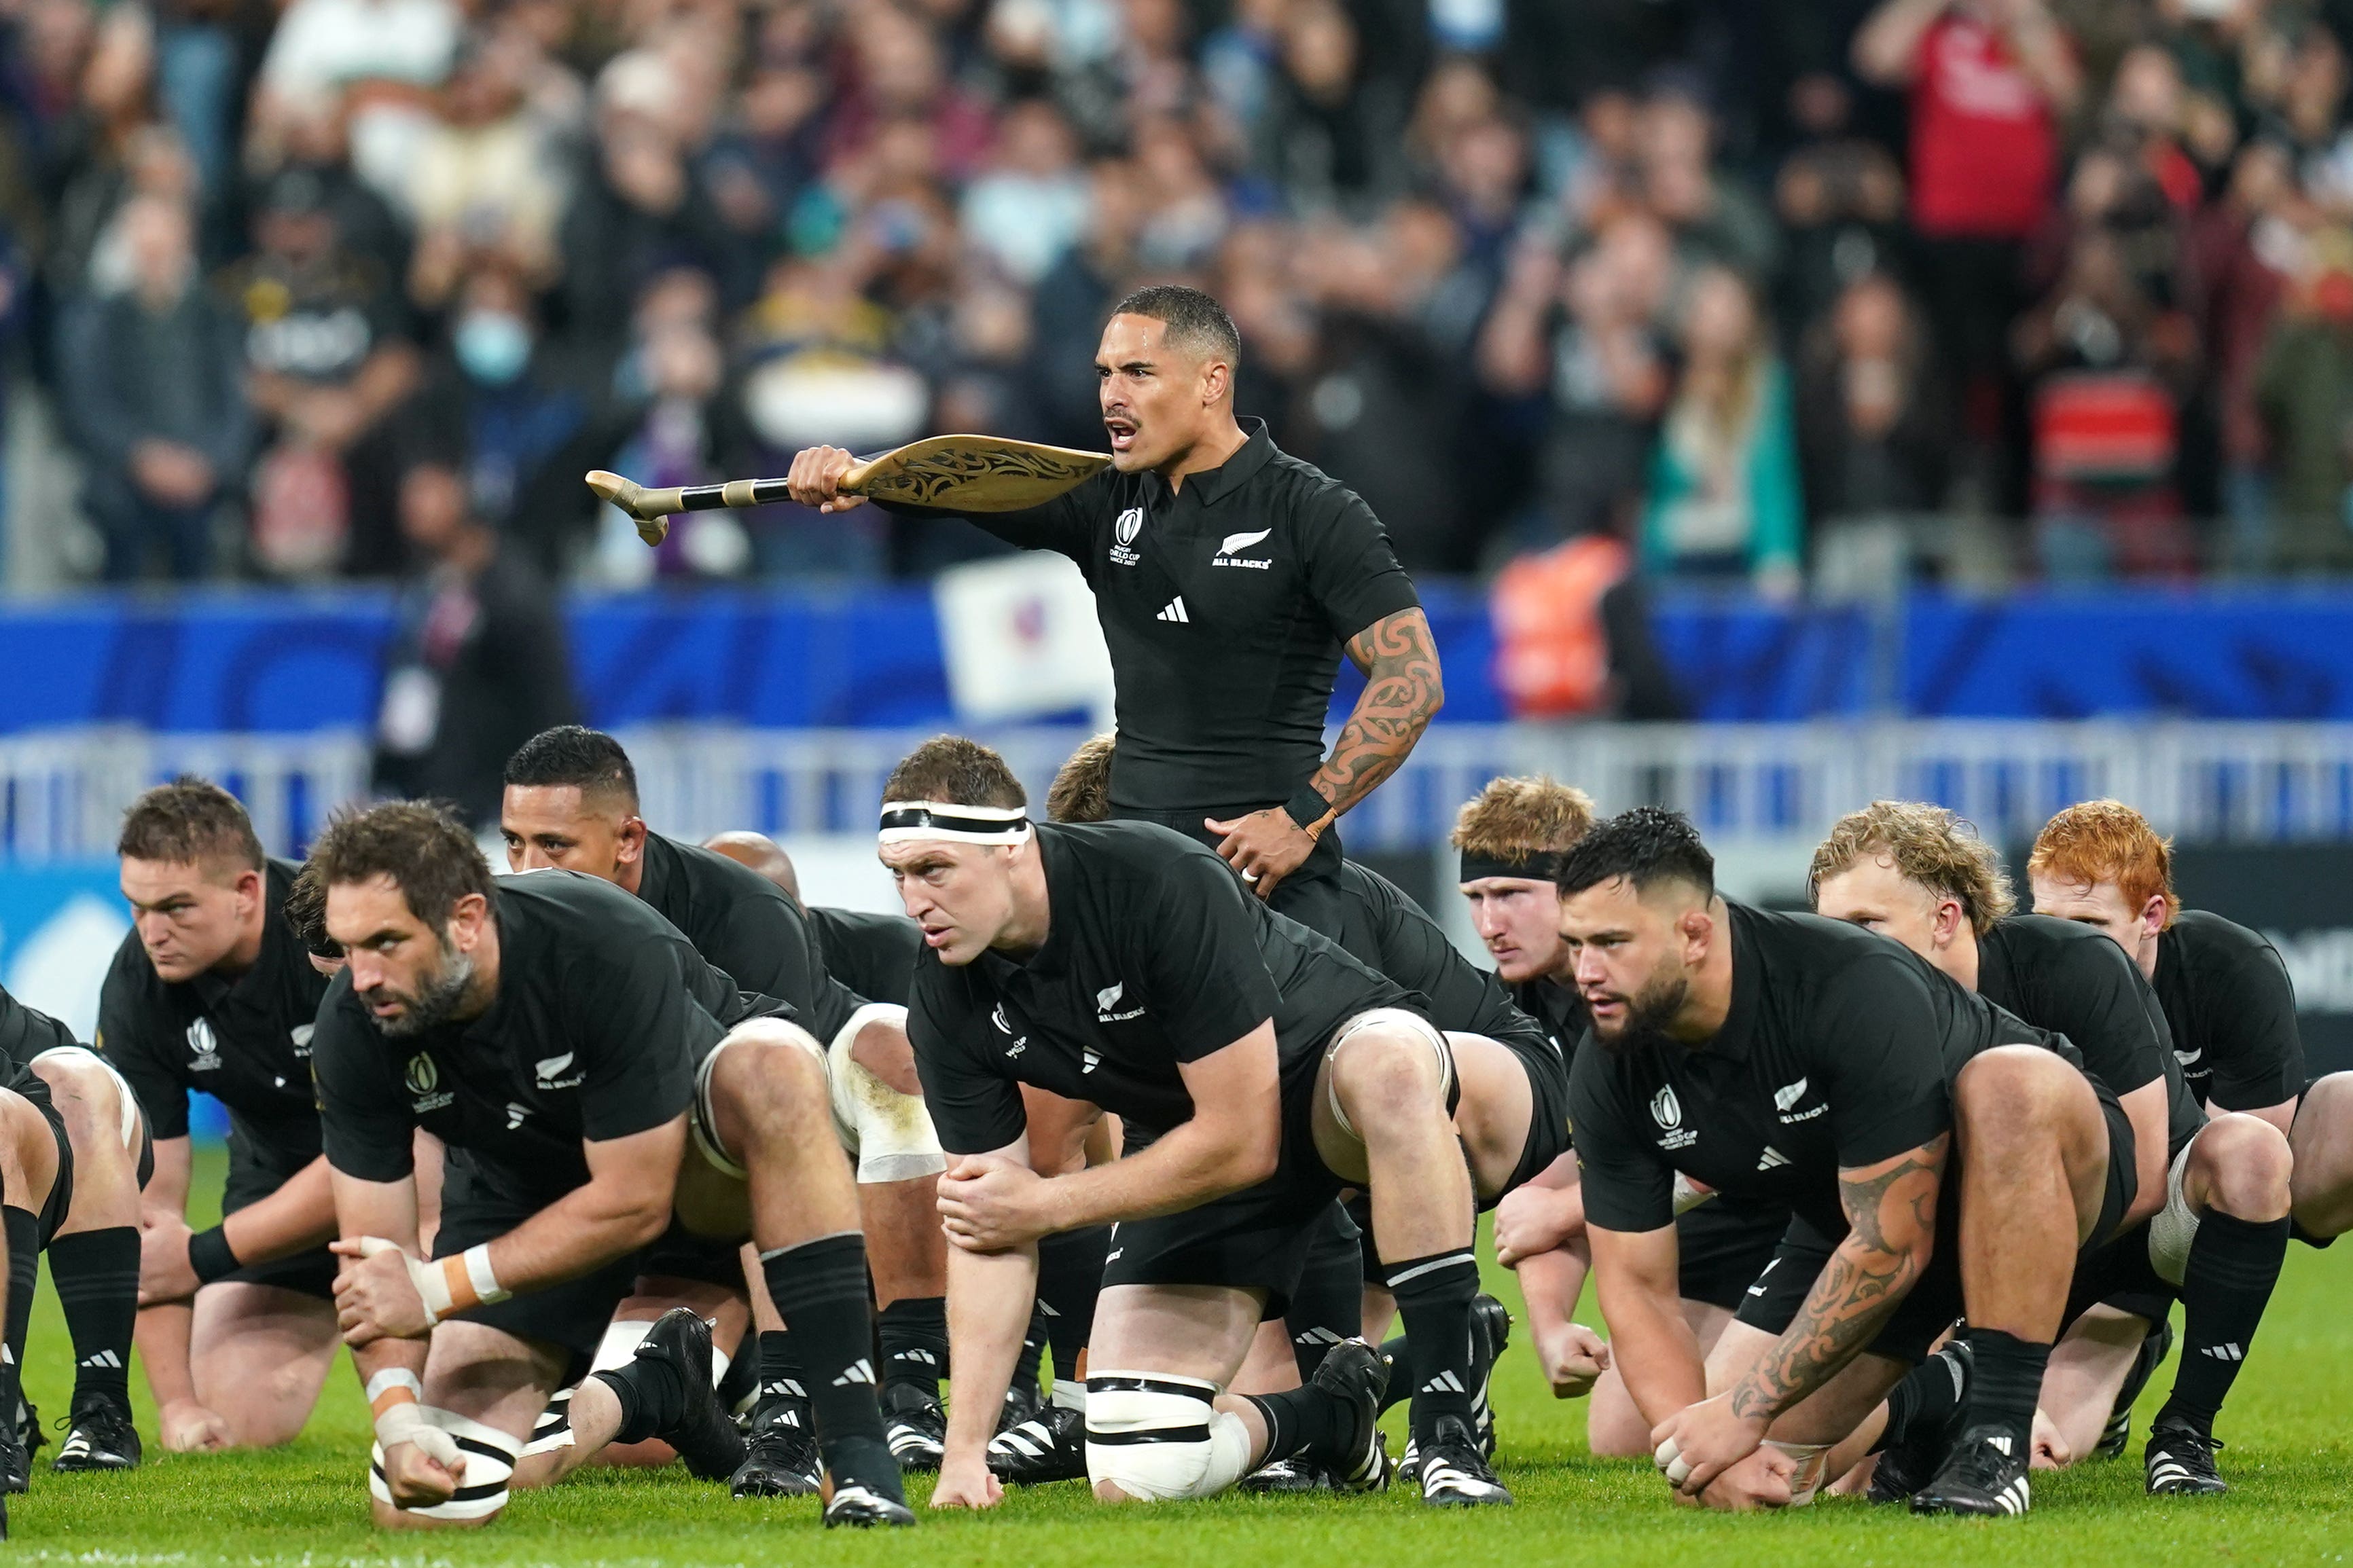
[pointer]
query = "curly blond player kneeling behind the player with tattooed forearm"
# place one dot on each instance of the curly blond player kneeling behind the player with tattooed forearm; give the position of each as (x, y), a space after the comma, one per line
(1921, 876)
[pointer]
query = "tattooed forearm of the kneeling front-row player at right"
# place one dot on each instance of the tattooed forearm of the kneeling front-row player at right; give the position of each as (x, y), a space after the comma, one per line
(1893, 1217)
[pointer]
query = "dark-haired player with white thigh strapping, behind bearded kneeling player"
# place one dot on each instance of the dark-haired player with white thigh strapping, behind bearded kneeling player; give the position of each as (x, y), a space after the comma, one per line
(571, 800)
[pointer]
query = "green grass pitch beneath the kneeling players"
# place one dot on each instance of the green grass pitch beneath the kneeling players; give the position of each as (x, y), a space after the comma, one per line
(2291, 1463)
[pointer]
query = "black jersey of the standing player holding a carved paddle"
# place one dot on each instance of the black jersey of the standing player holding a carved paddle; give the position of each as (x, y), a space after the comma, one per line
(1225, 608)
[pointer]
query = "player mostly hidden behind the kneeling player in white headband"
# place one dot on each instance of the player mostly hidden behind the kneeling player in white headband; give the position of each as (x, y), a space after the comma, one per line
(1394, 937)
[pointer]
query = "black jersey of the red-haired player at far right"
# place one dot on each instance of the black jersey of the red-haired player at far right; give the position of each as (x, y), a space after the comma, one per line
(2232, 1010)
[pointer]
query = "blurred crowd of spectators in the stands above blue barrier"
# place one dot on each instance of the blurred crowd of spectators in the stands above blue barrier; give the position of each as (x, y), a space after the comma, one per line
(1761, 293)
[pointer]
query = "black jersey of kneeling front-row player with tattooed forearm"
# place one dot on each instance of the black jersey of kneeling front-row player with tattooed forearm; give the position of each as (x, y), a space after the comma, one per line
(1839, 1052)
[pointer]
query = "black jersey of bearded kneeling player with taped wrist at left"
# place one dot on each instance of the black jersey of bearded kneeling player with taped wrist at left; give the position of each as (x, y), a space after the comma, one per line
(601, 1017)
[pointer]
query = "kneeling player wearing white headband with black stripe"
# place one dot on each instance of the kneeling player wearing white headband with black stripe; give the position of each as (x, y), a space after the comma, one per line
(1262, 1066)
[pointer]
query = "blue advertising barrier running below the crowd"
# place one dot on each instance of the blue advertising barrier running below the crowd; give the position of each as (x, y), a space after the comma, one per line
(872, 657)
